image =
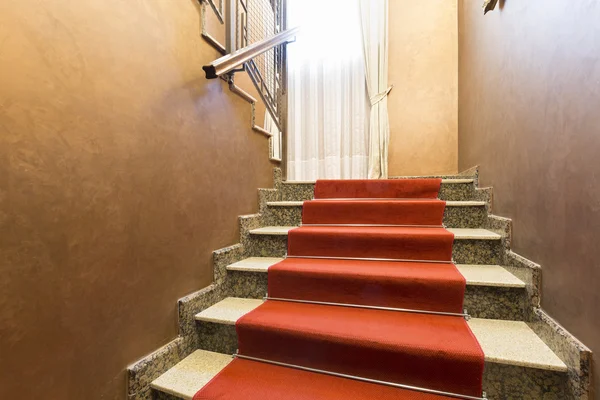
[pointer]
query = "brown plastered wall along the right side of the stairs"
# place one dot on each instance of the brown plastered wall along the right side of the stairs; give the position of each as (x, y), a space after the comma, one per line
(529, 101)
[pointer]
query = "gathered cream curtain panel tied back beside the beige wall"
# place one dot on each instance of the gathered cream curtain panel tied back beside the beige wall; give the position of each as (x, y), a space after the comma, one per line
(374, 24)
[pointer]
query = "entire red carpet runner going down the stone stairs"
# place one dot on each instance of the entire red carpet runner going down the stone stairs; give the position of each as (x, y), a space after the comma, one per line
(362, 243)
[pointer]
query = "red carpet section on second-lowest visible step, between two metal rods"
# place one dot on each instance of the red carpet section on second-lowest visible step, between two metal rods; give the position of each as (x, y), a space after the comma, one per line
(414, 349)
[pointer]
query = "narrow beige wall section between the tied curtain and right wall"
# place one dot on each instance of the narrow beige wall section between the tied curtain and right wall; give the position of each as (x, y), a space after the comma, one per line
(423, 66)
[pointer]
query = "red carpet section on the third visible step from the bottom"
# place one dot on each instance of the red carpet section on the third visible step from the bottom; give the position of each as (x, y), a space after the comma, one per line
(418, 286)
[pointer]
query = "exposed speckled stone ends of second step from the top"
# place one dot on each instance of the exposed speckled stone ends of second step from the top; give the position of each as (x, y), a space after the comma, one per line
(458, 214)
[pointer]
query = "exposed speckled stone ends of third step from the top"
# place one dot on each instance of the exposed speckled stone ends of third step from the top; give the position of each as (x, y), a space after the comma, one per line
(471, 246)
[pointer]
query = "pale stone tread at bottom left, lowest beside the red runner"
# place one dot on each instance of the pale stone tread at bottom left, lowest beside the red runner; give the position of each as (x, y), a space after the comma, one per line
(187, 377)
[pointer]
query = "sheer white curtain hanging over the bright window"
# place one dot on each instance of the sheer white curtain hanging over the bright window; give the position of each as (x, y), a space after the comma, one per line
(328, 104)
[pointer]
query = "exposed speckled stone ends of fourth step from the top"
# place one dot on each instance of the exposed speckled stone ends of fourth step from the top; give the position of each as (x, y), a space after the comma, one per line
(492, 291)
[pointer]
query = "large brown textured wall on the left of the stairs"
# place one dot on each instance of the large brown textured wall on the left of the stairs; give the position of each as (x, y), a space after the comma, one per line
(121, 169)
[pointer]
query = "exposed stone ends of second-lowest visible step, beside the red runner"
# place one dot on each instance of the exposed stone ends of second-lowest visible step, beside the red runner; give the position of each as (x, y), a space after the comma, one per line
(519, 365)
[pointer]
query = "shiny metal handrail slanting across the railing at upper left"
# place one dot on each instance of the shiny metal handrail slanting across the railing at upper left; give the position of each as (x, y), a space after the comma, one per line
(238, 58)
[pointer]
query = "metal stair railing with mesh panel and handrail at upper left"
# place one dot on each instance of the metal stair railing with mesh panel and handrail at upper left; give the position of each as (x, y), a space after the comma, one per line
(256, 39)
